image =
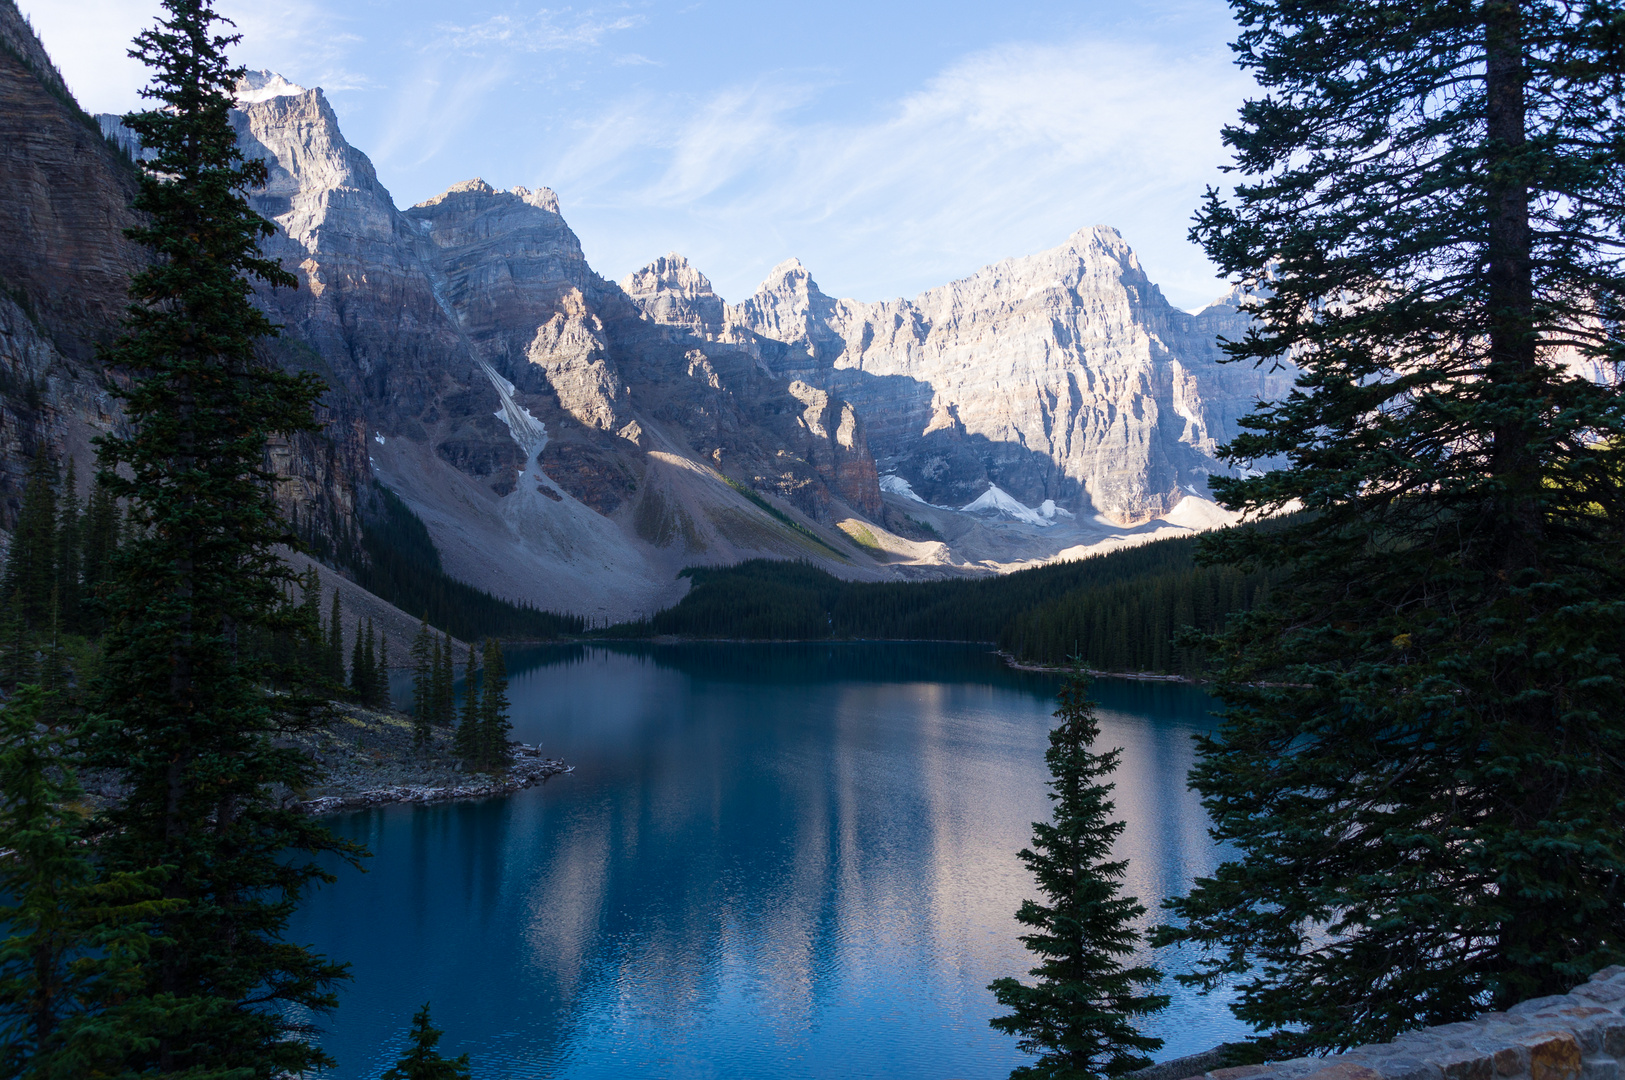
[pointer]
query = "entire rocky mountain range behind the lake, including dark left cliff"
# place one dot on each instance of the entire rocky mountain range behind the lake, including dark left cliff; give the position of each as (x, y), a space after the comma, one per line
(574, 443)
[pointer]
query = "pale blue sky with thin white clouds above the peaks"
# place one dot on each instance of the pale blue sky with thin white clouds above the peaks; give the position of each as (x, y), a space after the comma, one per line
(890, 147)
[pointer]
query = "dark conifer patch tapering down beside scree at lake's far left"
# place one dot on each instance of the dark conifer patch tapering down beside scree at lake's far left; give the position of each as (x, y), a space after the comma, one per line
(402, 566)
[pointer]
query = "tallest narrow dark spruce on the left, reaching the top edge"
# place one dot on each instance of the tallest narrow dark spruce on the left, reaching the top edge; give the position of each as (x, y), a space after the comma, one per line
(184, 712)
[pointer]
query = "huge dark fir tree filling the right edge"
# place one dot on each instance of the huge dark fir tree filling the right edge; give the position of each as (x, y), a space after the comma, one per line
(1423, 759)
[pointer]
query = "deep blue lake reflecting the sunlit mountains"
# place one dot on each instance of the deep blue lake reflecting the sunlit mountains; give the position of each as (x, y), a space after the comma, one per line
(771, 862)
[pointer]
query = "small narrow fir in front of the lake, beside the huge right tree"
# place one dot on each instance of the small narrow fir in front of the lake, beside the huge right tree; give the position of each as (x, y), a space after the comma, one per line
(1078, 1014)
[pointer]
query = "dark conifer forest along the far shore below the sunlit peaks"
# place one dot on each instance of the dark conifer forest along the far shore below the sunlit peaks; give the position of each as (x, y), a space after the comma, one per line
(1120, 611)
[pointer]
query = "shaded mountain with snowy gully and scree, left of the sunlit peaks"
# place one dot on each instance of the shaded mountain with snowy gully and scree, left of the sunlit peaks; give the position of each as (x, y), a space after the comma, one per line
(563, 447)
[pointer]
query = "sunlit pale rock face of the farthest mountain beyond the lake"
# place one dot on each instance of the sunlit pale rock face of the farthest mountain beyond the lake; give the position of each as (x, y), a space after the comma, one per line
(1062, 376)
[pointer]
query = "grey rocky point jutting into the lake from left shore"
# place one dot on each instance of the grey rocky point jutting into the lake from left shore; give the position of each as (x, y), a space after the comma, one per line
(368, 759)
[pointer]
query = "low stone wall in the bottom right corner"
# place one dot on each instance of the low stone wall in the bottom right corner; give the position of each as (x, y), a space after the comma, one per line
(1572, 1037)
